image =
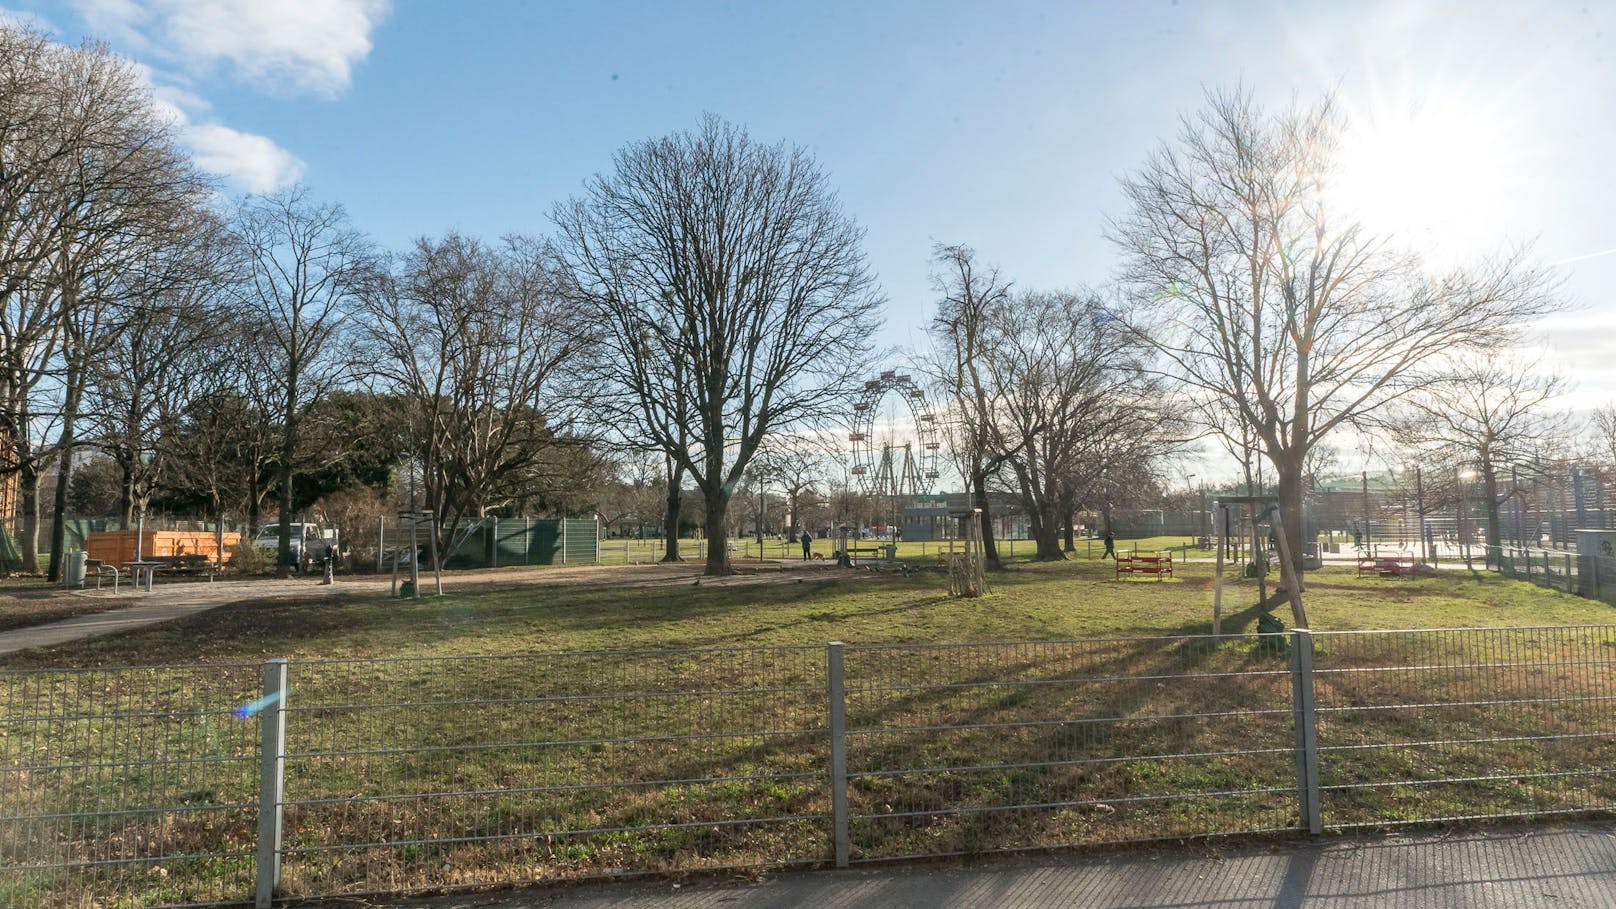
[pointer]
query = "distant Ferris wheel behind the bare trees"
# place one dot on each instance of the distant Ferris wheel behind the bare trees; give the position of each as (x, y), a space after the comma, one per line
(885, 463)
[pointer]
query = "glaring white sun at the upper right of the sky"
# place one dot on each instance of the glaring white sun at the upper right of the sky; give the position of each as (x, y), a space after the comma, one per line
(1436, 175)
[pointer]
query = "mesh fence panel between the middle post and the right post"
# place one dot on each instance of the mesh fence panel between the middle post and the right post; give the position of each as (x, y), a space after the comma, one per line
(957, 750)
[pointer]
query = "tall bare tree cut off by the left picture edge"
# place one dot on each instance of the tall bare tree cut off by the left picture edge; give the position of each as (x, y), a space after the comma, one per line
(91, 185)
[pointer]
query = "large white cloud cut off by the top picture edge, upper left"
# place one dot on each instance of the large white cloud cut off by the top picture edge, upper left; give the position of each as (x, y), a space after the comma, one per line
(279, 46)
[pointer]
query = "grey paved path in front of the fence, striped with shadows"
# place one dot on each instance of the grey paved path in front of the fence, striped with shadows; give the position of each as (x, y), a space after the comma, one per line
(1515, 868)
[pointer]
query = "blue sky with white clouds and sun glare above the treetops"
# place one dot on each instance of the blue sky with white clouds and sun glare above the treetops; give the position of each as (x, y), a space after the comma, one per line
(999, 125)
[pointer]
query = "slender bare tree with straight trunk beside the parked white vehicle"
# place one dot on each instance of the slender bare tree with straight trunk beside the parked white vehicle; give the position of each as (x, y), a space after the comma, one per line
(305, 261)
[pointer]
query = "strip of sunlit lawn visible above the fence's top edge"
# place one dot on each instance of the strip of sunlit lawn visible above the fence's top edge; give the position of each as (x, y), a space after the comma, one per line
(1032, 601)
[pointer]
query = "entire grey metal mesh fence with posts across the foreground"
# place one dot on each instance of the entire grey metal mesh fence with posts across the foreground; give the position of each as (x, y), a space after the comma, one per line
(148, 787)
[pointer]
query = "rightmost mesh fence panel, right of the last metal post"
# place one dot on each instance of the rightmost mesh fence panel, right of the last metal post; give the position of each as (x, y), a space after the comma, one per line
(1471, 724)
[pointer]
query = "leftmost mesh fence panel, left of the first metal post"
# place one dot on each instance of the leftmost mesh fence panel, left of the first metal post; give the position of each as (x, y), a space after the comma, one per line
(132, 787)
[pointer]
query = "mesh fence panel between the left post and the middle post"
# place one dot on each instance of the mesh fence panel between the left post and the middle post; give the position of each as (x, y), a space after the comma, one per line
(429, 774)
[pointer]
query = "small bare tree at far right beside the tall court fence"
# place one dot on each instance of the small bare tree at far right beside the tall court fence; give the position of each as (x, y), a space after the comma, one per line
(1491, 413)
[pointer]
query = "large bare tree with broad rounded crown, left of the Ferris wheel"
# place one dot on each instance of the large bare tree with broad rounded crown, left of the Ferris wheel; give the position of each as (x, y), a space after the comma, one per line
(734, 298)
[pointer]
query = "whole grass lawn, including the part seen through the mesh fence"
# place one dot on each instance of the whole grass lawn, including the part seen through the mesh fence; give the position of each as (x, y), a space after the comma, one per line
(539, 764)
